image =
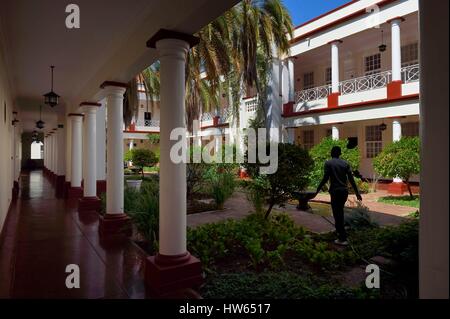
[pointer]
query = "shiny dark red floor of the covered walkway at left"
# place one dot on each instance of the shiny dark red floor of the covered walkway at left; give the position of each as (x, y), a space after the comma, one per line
(50, 234)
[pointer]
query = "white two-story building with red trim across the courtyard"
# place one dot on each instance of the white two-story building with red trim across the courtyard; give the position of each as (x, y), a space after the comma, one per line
(352, 74)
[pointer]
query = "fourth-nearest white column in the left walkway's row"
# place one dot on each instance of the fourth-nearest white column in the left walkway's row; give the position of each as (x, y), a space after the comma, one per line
(76, 151)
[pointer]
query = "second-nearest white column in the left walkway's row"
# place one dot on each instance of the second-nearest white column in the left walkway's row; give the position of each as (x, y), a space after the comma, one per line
(114, 154)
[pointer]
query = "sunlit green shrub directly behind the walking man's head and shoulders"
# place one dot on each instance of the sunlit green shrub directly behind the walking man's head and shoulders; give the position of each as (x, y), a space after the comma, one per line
(321, 153)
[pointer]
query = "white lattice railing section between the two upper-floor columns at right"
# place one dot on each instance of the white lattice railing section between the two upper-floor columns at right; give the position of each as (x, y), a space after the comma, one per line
(365, 83)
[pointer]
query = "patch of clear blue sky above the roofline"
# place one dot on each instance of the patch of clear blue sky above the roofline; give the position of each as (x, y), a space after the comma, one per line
(304, 10)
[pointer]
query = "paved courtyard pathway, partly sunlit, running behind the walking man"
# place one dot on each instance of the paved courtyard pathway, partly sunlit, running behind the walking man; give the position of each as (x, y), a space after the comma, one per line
(238, 207)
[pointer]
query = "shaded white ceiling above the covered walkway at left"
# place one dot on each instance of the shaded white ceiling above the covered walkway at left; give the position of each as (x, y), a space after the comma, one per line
(110, 45)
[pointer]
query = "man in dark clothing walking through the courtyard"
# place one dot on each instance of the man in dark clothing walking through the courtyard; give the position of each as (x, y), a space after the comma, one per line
(339, 173)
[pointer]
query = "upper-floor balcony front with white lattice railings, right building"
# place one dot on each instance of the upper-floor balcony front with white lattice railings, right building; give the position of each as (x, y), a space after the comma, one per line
(316, 97)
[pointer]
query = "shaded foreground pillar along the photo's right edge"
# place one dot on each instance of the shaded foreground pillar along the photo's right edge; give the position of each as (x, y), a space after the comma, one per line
(434, 109)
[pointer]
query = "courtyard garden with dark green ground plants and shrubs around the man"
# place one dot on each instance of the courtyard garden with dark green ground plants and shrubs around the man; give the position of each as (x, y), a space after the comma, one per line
(268, 254)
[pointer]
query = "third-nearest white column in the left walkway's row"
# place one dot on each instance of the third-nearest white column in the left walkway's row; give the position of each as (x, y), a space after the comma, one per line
(89, 151)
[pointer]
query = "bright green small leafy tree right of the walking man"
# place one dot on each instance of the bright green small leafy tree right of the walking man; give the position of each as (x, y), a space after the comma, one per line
(399, 159)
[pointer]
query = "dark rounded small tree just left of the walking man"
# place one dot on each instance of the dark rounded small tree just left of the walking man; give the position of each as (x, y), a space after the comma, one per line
(291, 176)
